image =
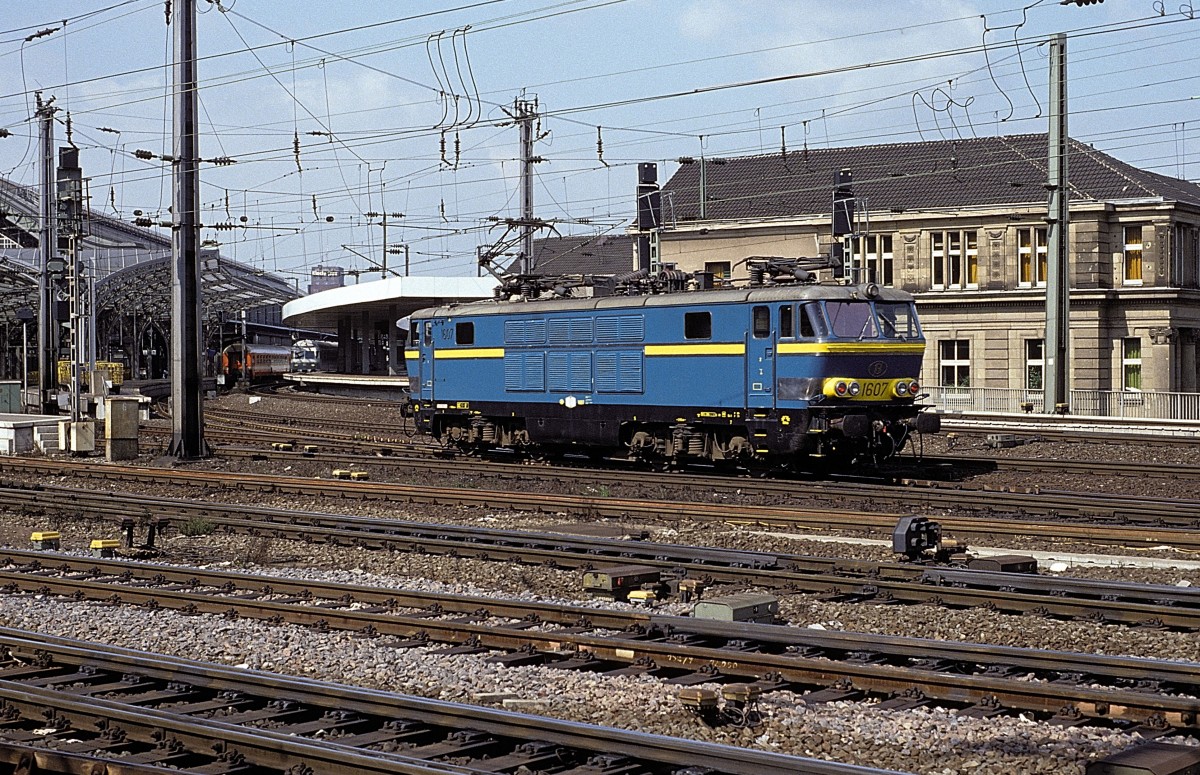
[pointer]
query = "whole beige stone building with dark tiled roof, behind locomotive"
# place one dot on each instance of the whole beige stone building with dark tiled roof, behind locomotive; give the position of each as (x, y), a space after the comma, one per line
(962, 225)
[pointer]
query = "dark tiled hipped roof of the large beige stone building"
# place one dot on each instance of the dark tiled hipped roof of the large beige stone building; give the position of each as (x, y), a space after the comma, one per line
(910, 177)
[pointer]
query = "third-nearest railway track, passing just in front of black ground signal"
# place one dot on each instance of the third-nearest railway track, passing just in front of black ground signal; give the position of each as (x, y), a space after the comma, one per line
(850, 581)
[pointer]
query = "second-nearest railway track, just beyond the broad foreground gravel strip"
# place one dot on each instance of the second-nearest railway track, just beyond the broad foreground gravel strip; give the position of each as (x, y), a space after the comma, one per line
(1153, 695)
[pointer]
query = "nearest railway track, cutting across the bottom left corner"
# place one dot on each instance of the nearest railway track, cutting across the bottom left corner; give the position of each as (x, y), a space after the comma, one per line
(79, 707)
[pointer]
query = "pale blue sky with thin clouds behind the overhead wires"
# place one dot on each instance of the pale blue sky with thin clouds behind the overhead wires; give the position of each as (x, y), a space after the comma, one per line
(333, 111)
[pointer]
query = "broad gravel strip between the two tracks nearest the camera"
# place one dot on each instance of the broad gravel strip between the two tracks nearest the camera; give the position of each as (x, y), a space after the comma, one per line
(929, 742)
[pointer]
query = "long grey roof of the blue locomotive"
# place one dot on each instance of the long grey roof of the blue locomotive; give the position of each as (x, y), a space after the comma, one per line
(769, 295)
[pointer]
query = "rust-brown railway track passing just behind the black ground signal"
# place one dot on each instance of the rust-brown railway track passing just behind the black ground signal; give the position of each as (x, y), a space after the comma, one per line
(1078, 518)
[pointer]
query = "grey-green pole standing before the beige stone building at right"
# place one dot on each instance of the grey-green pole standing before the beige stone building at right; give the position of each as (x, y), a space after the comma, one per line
(1058, 383)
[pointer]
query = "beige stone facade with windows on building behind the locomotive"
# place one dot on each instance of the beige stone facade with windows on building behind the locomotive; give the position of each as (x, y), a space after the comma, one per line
(979, 279)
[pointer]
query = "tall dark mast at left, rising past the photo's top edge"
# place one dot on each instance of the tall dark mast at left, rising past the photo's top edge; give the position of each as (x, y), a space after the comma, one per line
(187, 389)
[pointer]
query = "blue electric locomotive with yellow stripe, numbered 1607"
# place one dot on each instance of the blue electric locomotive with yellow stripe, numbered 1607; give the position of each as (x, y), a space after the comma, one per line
(760, 376)
